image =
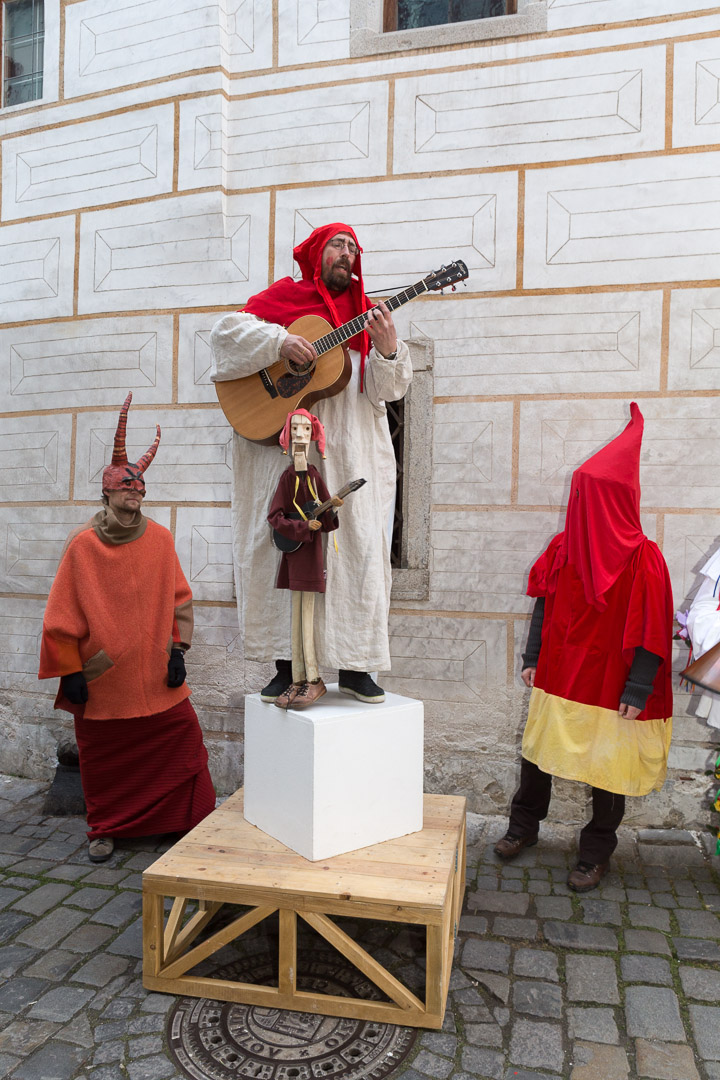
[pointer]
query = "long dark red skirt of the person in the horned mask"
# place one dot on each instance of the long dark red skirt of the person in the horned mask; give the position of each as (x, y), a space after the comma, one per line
(145, 776)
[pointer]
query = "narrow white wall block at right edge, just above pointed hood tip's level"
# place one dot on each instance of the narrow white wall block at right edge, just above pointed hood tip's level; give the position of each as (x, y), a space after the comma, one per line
(695, 353)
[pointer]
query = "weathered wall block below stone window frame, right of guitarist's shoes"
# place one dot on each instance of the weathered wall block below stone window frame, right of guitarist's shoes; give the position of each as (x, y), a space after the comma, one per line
(447, 659)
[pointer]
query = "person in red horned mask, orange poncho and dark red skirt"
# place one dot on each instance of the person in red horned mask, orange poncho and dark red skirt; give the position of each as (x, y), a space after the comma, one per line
(117, 626)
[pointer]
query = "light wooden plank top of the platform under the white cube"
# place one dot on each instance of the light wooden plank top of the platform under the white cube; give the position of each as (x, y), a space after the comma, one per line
(226, 854)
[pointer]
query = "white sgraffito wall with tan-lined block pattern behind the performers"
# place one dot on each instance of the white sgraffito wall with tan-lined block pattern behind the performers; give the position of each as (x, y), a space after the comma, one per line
(180, 155)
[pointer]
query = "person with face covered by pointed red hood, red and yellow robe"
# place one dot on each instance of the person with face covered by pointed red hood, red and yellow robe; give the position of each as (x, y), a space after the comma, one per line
(599, 660)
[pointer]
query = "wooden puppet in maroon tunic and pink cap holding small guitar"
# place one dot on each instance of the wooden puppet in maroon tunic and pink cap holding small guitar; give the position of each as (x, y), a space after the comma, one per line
(301, 493)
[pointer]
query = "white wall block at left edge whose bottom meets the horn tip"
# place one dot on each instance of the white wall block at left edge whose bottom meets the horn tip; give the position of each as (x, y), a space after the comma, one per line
(93, 362)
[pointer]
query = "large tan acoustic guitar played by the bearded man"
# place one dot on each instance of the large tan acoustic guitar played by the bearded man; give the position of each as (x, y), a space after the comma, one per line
(257, 406)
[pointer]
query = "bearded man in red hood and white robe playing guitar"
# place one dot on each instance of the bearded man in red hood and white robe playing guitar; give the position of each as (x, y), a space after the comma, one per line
(351, 618)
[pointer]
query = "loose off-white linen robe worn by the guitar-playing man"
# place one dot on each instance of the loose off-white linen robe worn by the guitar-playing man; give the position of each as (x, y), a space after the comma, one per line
(351, 618)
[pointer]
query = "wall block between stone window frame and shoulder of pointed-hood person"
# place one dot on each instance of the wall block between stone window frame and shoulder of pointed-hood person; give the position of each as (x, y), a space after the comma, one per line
(481, 561)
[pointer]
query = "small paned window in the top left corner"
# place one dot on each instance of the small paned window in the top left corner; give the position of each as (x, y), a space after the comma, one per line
(23, 43)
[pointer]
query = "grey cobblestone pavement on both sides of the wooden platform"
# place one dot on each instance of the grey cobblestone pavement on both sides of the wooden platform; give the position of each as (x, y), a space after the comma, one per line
(622, 983)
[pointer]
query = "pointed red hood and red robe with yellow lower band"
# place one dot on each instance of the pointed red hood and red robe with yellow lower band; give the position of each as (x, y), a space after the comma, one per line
(607, 593)
